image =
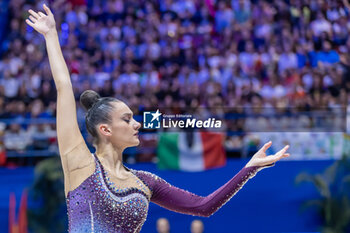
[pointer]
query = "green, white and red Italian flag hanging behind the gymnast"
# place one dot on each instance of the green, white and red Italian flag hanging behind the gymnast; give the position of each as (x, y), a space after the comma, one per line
(196, 151)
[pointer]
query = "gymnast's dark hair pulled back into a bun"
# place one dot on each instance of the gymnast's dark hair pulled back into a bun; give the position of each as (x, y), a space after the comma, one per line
(99, 110)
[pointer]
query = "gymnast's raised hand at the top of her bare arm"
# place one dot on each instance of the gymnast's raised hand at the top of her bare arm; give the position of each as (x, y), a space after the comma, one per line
(42, 23)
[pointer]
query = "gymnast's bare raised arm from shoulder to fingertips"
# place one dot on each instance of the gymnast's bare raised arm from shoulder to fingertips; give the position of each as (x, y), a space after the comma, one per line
(76, 158)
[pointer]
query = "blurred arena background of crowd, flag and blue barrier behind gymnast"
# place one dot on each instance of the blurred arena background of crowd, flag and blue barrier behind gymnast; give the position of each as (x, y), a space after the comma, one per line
(270, 69)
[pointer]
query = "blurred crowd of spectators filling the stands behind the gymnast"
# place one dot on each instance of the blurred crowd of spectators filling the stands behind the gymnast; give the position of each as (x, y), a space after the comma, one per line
(271, 54)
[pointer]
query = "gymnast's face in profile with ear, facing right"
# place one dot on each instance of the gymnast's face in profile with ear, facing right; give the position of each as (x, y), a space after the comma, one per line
(123, 131)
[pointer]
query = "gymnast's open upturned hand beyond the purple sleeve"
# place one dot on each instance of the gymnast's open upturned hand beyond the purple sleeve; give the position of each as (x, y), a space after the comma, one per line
(260, 158)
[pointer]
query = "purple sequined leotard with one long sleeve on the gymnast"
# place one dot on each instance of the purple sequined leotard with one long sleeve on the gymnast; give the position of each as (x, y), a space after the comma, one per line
(98, 205)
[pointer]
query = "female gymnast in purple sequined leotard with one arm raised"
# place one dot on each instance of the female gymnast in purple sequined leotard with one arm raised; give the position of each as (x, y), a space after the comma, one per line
(102, 194)
